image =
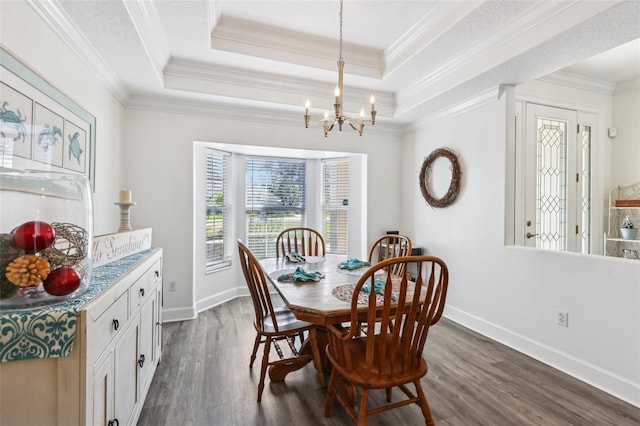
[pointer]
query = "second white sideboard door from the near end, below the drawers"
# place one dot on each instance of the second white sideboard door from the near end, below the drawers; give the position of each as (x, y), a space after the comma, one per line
(126, 374)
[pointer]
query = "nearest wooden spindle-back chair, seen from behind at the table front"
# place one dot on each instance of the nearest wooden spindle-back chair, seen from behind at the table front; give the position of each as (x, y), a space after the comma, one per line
(392, 355)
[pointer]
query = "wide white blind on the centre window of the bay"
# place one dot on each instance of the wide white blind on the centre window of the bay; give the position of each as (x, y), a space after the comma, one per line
(275, 200)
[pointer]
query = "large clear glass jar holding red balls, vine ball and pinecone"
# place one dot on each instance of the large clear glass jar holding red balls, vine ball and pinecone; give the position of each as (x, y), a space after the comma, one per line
(45, 234)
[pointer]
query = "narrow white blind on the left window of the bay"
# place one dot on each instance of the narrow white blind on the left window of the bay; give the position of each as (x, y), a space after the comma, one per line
(217, 209)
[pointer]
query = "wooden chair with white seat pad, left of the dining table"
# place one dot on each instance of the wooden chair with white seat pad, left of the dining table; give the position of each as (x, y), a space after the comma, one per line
(274, 325)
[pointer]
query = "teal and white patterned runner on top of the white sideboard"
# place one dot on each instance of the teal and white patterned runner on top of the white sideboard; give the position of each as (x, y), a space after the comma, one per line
(49, 331)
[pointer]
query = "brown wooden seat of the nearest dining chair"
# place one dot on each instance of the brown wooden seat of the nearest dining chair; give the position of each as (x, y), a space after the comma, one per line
(376, 376)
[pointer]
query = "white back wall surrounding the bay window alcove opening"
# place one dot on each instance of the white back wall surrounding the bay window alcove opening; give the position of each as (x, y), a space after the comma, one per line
(159, 150)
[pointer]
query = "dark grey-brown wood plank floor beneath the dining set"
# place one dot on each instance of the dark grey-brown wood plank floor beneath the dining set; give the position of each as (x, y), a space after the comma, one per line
(204, 379)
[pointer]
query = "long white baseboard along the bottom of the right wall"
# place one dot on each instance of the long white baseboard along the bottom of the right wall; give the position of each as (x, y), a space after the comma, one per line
(604, 380)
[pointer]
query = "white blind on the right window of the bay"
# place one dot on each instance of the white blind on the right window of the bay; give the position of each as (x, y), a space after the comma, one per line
(335, 181)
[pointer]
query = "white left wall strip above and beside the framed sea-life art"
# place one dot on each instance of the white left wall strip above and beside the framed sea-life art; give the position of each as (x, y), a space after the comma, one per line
(24, 33)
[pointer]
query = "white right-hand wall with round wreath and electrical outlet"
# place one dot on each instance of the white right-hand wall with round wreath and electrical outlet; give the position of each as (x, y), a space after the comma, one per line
(512, 294)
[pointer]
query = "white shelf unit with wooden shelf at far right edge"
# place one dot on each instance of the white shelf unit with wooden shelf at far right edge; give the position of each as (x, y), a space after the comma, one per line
(615, 245)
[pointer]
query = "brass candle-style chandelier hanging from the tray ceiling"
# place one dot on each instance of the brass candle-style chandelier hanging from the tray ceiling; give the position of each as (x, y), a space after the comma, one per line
(328, 123)
